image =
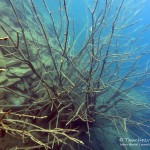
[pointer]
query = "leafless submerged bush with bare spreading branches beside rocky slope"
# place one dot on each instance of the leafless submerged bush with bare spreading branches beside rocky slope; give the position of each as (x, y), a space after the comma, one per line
(55, 87)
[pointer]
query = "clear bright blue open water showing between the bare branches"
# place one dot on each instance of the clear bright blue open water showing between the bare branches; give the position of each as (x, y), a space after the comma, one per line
(79, 13)
